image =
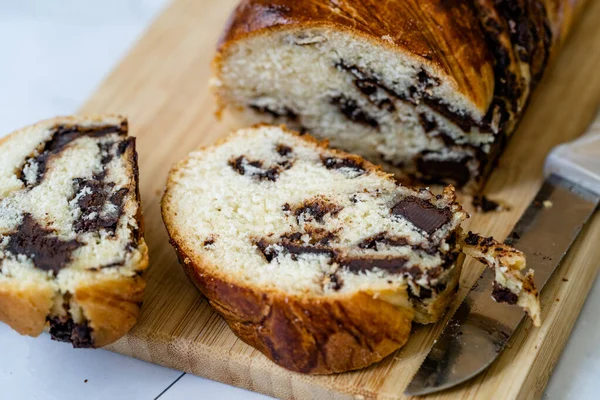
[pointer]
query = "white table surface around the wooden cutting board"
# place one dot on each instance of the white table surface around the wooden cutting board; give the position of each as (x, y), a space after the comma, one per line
(53, 53)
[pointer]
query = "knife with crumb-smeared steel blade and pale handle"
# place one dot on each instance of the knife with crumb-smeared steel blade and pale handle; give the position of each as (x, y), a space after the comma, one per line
(480, 328)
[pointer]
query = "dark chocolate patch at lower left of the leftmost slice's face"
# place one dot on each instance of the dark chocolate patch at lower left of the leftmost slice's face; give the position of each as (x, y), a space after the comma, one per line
(48, 253)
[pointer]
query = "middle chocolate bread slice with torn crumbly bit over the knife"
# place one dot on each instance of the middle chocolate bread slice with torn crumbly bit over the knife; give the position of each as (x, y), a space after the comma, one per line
(314, 256)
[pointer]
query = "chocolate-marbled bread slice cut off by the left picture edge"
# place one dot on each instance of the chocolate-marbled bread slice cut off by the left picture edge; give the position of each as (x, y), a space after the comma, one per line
(72, 254)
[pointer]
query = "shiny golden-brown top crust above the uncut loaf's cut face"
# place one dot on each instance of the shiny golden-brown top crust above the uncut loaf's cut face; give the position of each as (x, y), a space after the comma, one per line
(458, 51)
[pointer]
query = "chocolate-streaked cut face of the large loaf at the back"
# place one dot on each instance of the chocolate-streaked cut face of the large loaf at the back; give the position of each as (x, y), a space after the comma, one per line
(364, 97)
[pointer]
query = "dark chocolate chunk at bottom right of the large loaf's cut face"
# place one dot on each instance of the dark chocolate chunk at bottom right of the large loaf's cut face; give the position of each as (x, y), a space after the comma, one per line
(438, 171)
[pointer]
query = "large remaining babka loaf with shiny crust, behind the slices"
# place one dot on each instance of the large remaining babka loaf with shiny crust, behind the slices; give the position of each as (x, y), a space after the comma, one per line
(429, 89)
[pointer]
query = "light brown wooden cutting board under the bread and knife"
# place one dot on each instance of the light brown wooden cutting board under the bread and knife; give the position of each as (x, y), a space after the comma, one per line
(161, 85)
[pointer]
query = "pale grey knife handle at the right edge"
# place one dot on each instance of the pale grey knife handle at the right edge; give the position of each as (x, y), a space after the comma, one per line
(578, 161)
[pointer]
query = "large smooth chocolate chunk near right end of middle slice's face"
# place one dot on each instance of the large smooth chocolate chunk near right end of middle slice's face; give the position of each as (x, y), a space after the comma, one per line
(422, 214)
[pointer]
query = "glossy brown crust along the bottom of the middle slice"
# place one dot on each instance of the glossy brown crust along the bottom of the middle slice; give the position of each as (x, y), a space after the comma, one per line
(308, 335)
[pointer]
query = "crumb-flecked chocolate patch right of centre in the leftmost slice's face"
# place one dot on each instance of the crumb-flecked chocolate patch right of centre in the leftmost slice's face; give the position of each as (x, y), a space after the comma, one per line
(94, 196)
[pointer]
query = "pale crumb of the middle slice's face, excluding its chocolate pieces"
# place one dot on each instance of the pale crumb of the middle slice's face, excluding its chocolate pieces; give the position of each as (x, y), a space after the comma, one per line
(218, 214)
